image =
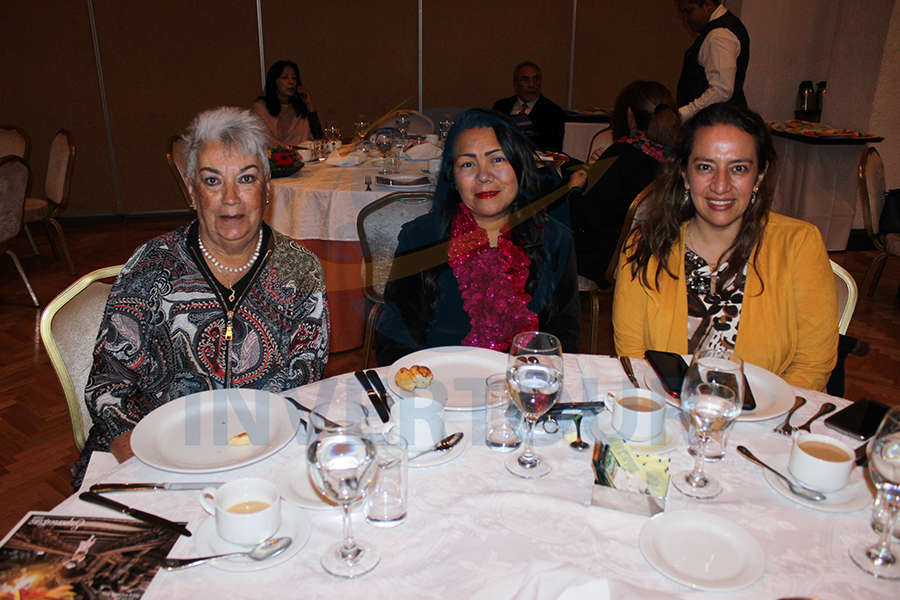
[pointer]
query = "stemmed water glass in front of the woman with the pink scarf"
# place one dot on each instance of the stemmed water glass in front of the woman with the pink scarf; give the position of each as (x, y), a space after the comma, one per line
(534, 375)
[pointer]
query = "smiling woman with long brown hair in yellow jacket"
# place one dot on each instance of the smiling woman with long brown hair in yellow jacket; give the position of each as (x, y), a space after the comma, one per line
(711, 267)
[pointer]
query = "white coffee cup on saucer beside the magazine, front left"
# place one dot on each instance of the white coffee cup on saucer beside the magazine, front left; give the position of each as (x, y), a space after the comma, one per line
(247, 511)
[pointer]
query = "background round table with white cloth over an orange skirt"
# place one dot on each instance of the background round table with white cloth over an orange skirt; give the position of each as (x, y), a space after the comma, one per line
(318, 206)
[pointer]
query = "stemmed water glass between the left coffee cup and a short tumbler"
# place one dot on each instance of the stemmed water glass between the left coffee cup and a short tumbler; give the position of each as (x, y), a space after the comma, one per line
(343, 465)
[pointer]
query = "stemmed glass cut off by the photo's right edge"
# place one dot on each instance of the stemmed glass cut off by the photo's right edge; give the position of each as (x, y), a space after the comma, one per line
(884, 466)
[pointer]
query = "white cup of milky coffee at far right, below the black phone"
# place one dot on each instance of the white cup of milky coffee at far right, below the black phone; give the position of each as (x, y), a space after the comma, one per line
(820, 462)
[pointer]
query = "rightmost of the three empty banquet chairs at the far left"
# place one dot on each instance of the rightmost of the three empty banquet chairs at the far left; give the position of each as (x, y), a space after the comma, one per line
(56, 193)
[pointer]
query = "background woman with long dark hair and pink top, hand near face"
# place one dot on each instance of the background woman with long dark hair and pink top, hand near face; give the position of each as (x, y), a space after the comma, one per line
(286, 107)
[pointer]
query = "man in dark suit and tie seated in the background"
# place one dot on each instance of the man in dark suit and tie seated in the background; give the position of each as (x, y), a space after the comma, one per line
(538, 117)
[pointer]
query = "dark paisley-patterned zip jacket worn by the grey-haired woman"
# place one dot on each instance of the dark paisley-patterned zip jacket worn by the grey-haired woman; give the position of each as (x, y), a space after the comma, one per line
(165, 332)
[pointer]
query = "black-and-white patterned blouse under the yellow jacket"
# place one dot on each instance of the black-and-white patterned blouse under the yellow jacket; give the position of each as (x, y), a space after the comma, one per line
(714, 307)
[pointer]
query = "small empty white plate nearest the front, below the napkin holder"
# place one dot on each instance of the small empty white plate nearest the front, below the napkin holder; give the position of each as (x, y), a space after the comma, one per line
(702, 550)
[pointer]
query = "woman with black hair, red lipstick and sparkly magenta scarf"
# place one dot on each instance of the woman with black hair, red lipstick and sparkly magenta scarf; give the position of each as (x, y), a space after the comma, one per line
(487, 262)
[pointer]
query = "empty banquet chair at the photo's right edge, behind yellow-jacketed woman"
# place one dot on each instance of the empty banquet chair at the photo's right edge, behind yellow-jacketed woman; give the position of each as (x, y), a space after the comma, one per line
(872, 188)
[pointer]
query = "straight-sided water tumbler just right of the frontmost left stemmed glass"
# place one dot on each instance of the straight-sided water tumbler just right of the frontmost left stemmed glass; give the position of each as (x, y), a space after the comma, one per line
(387, 498)
